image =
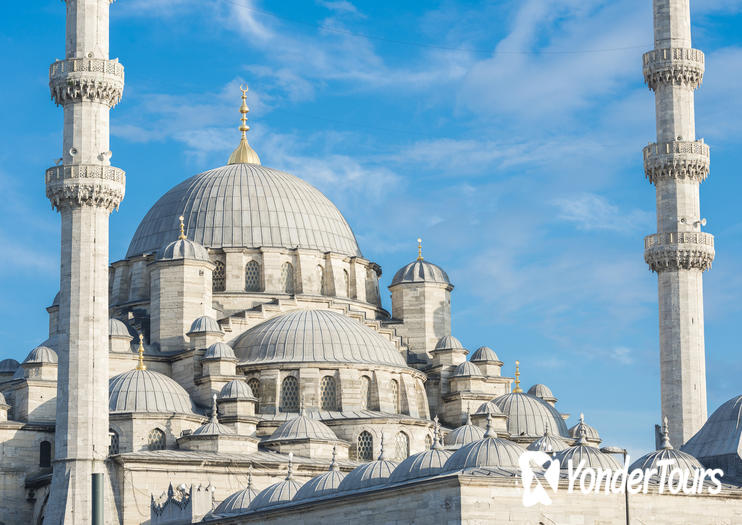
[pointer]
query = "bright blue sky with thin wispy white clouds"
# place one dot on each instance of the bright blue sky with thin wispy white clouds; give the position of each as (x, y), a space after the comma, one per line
(507, 134)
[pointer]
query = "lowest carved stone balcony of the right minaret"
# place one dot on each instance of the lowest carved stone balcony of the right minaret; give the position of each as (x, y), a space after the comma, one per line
(679, 250)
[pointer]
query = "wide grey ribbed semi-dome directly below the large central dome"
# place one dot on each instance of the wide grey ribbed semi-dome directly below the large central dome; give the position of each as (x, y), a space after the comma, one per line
(315, 336)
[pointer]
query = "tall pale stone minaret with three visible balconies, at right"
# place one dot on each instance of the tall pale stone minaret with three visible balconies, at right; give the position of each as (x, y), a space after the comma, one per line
(676, 164)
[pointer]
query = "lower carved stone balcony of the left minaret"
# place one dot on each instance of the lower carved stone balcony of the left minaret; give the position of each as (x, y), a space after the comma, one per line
(85, 185)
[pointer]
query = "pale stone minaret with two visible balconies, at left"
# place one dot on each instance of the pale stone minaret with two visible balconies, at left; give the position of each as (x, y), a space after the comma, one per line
(84, 188)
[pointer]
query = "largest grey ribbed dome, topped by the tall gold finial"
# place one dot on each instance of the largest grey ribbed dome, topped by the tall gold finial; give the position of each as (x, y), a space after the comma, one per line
(246, 206)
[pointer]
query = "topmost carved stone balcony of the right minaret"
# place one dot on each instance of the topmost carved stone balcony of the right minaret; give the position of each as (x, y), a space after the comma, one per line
(677, 66)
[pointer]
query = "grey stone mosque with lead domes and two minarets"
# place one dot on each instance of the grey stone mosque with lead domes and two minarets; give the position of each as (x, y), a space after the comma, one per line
(243, 370)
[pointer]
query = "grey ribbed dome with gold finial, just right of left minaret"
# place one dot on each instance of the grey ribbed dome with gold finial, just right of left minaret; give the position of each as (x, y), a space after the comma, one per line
(147, 391)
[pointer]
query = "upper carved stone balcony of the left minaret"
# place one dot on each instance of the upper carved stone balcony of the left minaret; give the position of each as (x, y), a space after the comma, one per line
(93, 79)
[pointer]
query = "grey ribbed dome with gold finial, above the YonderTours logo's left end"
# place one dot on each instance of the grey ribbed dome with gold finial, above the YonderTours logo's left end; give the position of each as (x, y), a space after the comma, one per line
(529, 416)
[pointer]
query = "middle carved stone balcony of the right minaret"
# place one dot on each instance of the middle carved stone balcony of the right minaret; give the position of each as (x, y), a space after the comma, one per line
(677, 160)
